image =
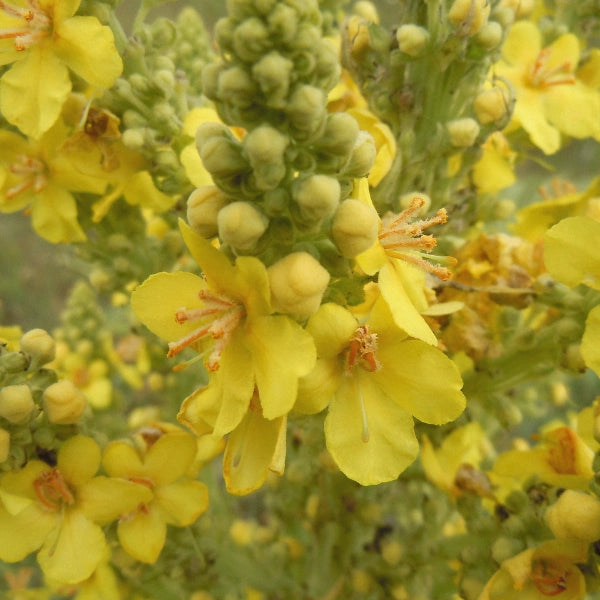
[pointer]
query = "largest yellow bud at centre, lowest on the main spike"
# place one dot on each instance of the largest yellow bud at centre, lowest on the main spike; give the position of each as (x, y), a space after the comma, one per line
(298, 282)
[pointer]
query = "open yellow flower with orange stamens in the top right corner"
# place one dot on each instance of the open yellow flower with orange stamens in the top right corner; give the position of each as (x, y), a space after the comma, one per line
(550, 98)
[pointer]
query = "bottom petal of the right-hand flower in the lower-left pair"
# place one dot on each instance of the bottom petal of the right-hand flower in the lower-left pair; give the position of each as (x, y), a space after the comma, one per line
(143, 536)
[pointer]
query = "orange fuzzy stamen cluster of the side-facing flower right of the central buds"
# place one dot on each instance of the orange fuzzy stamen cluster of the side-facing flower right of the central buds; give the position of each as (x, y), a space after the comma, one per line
(403, 239)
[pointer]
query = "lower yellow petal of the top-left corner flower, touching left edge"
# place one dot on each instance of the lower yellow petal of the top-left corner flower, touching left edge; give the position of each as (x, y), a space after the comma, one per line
(33, 91)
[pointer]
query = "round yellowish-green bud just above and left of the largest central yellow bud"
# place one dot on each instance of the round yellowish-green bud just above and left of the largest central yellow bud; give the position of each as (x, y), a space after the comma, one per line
(241, 225)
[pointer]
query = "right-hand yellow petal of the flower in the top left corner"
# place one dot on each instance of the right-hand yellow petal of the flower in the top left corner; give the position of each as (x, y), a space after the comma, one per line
(88, 48)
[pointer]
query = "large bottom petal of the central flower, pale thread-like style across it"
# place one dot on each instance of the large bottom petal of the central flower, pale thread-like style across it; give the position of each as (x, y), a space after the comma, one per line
(370, 437)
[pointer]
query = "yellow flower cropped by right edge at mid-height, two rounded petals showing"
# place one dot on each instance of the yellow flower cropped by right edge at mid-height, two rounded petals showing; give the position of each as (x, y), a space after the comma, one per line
(572, 257)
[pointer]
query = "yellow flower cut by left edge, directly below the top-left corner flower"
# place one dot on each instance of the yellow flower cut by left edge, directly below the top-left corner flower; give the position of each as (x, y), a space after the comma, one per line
(36, 174)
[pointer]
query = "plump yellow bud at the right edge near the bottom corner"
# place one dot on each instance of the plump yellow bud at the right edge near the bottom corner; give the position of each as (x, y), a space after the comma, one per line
(575, 515)
